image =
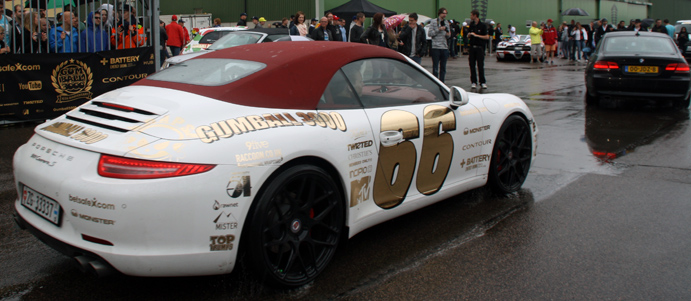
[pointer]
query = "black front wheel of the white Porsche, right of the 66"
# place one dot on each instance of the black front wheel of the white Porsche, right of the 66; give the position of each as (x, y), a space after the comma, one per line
(511, 156)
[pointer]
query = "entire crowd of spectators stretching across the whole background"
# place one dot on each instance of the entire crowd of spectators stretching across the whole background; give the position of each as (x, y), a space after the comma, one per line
(29, 31)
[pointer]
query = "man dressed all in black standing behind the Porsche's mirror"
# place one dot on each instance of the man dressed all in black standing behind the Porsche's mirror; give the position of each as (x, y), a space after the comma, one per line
(478, 36)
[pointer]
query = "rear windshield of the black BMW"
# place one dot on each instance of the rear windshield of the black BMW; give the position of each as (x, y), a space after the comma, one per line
(639, 44)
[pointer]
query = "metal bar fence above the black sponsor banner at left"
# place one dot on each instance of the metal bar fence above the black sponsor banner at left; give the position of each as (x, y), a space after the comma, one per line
(94, 25)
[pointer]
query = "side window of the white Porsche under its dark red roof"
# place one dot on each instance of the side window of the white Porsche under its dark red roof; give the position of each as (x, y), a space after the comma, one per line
(385, 82)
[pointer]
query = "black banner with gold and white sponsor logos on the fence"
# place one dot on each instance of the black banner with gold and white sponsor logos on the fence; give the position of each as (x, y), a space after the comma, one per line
(44, 86)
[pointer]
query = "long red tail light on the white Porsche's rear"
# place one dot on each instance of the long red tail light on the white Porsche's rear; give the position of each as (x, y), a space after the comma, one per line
(127, 168)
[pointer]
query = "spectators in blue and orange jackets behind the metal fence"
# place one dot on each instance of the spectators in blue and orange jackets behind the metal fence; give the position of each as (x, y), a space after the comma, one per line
(27, 30)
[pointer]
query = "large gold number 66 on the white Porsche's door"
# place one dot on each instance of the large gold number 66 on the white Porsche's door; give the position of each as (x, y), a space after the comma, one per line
(397, 160)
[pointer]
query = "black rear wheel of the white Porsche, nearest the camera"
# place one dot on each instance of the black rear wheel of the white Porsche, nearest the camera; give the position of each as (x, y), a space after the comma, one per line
(294, 228)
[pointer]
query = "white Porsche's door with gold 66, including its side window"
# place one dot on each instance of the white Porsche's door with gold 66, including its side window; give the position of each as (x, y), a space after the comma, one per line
(419, 138)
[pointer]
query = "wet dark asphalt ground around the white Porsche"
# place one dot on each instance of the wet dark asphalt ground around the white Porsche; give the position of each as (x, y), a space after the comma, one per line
(605, 214)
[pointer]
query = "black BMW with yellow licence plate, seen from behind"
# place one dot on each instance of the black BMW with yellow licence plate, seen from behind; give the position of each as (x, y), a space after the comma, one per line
(638, 65)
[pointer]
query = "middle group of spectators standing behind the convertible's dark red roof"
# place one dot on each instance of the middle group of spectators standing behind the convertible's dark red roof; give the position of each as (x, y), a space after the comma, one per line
(441, 39)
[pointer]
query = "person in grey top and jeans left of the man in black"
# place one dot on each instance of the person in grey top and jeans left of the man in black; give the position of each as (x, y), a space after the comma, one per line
(439, 32)
